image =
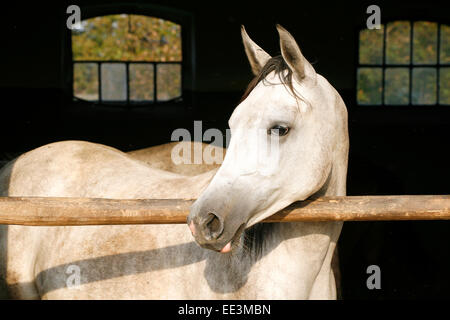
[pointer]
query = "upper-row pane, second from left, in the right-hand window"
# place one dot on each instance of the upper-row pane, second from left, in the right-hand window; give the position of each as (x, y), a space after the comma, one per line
(398, 42)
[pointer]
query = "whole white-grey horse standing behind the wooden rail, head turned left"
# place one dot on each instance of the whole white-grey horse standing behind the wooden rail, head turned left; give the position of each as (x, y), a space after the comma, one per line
(288, 101)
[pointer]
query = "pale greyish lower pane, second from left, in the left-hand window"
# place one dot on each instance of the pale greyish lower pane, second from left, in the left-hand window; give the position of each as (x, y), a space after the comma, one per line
(114, 82)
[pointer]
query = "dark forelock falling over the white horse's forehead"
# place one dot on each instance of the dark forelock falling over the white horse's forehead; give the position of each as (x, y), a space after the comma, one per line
(281, 69)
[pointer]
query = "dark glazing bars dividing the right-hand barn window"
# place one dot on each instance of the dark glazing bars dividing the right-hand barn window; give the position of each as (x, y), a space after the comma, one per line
(410, 66)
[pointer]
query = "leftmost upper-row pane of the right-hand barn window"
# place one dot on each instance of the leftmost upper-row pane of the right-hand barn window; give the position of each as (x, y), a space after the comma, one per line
(371, 46)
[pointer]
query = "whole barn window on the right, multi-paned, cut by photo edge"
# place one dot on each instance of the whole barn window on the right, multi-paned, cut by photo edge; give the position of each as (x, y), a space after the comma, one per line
(404, 63)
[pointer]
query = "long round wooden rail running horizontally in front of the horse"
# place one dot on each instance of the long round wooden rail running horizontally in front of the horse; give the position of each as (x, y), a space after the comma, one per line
(33, 211)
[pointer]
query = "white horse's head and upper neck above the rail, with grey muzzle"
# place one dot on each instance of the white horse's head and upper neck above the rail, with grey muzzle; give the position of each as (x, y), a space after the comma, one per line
(293, 111)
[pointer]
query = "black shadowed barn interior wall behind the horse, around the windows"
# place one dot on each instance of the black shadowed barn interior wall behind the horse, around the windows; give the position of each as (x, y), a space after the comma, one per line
(393, 150)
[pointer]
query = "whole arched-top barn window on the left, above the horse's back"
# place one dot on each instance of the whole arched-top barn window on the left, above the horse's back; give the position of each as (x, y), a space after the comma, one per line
(127, 59)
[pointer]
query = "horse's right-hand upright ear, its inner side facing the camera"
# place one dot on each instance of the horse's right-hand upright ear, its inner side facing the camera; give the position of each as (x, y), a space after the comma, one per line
(293, 56)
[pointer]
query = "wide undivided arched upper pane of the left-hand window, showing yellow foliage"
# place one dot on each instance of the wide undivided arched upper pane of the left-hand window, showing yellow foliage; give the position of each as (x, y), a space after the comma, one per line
(127, 37)
